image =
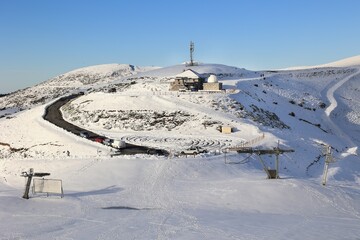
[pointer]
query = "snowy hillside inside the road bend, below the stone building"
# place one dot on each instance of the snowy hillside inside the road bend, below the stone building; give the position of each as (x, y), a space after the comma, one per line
(279, 104)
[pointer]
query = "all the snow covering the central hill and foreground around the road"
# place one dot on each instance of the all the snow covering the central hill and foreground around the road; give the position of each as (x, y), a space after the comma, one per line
(157, 197)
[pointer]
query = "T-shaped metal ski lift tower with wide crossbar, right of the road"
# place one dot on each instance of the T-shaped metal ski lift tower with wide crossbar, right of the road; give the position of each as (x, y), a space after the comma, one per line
(277, 151)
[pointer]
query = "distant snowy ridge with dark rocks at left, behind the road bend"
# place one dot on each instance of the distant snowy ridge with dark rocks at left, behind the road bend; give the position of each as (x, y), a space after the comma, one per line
(77, 80)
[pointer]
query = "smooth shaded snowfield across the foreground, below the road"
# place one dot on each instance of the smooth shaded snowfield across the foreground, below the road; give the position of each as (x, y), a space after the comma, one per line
(142, 198)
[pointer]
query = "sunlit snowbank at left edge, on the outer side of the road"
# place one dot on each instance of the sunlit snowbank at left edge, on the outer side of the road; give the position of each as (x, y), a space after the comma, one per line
(41, 138)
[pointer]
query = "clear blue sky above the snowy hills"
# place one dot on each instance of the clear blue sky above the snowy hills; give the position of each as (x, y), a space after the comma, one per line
(40, 39)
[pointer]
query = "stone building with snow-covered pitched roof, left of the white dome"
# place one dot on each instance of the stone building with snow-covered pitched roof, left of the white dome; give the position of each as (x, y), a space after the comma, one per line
(189, 80)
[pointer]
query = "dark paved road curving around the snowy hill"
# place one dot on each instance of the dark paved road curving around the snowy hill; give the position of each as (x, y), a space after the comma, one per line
(53, 115)
